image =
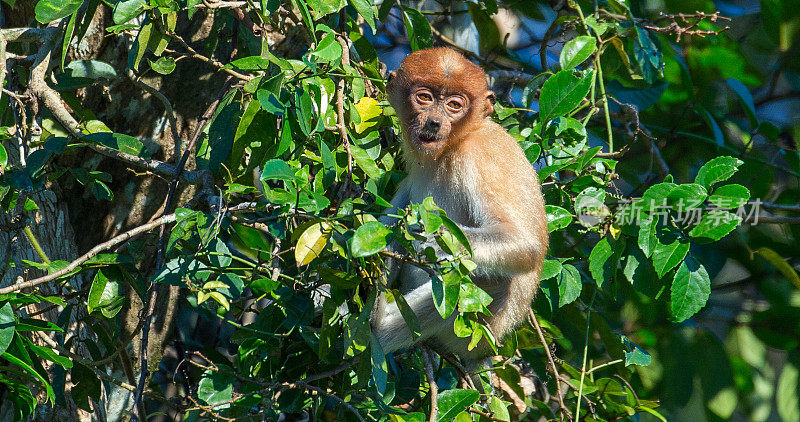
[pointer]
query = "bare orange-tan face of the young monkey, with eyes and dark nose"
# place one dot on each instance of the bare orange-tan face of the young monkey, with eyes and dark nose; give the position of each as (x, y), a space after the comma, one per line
(433, 116)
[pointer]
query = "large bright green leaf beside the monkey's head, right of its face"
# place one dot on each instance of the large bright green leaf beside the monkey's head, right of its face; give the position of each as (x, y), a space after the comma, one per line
(562, 93)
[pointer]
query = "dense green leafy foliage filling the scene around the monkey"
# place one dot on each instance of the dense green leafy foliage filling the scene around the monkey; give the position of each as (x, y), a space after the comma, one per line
(651, 153)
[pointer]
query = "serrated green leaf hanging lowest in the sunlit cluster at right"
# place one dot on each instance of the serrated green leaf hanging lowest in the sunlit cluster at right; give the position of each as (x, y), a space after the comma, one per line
(690, 290)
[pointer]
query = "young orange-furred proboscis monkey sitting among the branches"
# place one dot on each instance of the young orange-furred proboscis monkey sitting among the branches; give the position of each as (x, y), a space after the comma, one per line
(477, 173)
